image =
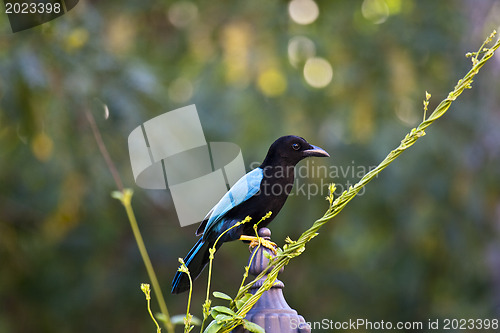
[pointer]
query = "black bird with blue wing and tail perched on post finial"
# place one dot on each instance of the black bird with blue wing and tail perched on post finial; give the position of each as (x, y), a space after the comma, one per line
(262, 190)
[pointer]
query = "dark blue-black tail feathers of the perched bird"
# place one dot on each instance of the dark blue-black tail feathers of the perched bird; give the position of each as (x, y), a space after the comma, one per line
(196, 260)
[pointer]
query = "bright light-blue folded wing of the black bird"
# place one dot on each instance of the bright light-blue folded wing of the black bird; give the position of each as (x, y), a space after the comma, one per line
(246, 187)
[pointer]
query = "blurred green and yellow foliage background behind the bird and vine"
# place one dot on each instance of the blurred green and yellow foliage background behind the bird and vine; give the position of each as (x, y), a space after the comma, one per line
(422, 241)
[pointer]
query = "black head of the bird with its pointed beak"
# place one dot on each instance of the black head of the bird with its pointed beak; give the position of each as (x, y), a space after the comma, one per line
(290, 149)
